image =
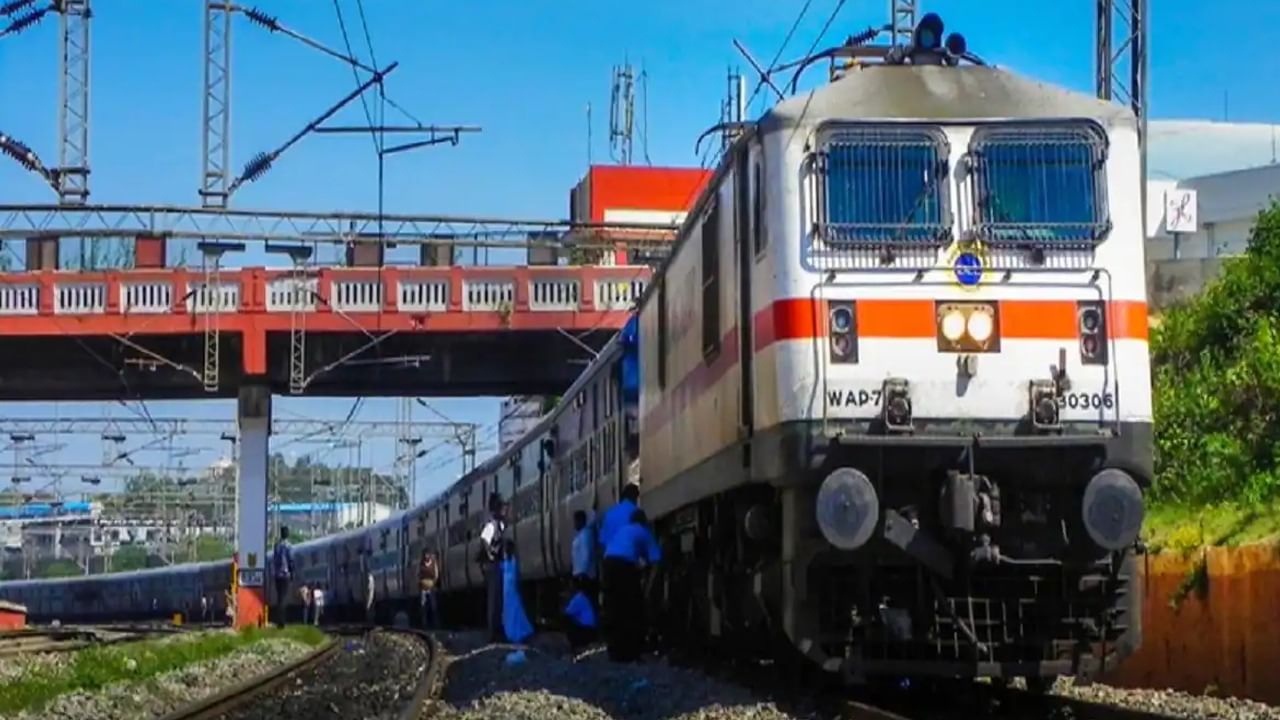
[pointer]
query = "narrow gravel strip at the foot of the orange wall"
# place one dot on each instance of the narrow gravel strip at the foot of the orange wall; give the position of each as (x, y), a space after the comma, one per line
(1173, 704)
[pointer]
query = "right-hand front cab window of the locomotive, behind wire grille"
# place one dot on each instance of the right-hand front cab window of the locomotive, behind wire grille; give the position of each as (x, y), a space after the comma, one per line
(1040, 185)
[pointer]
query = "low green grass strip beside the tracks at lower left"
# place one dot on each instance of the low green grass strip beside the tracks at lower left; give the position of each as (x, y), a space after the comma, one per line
(98, 667)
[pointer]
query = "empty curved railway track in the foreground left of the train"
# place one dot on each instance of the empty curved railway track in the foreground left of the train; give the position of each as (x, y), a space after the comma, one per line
(285, 691)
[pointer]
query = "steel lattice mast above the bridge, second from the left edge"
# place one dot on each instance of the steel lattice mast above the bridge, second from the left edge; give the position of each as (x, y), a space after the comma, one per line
(216, 174)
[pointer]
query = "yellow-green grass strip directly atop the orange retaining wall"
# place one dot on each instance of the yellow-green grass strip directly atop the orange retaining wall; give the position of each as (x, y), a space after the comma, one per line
(1185, 530)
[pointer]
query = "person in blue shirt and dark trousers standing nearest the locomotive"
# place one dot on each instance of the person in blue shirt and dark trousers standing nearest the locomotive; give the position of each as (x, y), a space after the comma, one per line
(630, 546)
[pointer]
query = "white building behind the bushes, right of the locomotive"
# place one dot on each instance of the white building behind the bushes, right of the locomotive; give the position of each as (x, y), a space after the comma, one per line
(1206, 184)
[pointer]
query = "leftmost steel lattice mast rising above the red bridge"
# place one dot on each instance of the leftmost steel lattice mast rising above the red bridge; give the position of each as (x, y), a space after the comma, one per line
(74, 106)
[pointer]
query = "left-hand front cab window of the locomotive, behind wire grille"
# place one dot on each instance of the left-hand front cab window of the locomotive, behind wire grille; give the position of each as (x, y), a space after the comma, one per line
(880, 186)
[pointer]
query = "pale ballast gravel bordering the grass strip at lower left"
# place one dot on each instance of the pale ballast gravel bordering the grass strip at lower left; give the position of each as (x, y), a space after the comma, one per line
(162, 694)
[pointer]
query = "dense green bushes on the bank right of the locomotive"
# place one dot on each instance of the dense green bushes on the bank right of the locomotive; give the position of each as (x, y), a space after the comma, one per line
(1217, 379)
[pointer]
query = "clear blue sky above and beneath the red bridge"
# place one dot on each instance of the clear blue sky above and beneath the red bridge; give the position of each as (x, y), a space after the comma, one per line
(525, 71)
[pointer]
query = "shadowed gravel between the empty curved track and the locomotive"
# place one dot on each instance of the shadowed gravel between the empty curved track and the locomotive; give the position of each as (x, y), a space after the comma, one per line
(547, 683)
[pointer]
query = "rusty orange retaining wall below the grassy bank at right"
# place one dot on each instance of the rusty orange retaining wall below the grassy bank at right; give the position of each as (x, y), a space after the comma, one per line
(1228, 639)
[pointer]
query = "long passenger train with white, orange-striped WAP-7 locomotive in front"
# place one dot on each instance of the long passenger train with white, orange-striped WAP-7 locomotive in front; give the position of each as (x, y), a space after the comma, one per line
(888, 399)
